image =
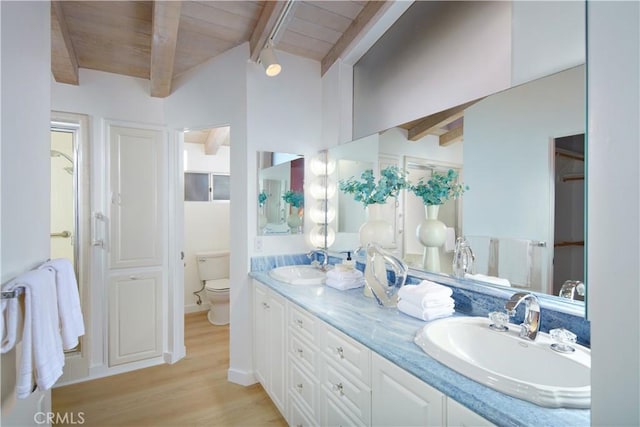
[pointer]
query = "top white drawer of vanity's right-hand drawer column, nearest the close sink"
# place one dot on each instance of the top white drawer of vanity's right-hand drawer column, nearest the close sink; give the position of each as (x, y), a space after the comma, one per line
(350, 355)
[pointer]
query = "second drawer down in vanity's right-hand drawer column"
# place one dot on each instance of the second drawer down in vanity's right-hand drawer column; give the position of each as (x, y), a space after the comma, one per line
(353, 395)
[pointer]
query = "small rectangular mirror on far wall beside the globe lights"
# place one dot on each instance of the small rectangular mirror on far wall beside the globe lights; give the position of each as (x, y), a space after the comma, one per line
(280, 193)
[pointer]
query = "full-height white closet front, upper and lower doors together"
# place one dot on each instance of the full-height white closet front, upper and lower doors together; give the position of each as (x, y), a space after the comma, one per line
(137, 267)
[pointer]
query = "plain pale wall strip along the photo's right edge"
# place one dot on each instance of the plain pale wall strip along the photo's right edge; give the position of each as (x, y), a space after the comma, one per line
(613, 211)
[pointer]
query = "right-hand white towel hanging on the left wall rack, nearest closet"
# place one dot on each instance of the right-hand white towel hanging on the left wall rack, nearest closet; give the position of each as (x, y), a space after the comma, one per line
(69, 309)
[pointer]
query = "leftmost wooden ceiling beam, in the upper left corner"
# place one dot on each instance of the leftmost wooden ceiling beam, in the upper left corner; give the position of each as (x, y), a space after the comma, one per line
(64, 63)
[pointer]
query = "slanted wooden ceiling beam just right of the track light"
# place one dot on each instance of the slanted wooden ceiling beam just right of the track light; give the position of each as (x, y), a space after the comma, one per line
(369, 15)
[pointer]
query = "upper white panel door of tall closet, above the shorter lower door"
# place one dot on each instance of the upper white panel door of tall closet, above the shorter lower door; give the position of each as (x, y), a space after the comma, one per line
(137, 197)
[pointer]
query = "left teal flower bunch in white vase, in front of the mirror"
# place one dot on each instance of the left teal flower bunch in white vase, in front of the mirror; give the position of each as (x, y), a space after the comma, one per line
(366, 190)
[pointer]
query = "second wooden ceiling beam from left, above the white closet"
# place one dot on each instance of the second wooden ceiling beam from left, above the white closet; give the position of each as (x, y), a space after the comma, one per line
(166, 19)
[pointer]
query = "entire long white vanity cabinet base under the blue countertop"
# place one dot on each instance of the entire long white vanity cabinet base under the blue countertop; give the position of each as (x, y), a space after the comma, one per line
(334, 380)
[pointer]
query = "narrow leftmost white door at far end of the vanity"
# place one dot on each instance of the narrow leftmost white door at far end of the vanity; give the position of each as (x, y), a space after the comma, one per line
(260, 356)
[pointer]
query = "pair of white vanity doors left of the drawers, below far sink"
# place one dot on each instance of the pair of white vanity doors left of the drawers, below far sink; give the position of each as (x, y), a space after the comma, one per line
(269, 348)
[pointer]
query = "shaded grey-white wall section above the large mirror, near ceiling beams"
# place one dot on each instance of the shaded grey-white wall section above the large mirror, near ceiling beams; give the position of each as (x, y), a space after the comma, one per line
(436, 56)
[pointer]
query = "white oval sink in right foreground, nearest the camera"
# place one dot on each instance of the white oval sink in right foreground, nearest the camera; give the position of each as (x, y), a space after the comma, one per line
(528, 370)
